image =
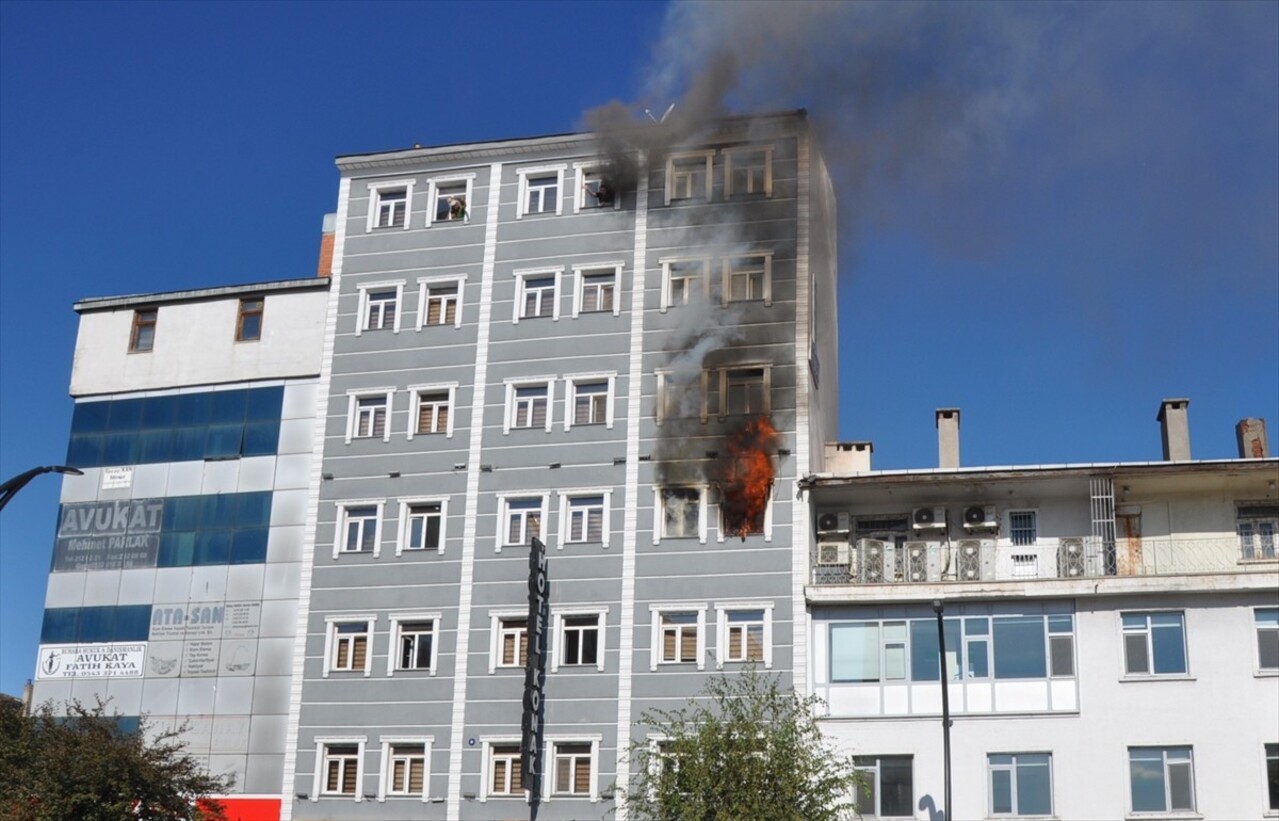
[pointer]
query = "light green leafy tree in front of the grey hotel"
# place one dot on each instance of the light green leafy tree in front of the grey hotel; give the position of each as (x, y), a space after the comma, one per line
(742, 751)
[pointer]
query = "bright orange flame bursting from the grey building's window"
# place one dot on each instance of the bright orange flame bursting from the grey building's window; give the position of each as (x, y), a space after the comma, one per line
(746, 476)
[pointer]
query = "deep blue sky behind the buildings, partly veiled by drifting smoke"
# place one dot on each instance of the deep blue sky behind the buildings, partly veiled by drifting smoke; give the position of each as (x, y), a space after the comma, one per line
(1053, 215)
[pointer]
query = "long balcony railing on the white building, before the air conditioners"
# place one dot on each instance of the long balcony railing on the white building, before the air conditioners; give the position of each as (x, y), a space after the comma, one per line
(877, 562)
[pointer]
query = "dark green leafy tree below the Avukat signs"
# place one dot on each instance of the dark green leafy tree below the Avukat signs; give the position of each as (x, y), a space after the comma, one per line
(84, 765)
